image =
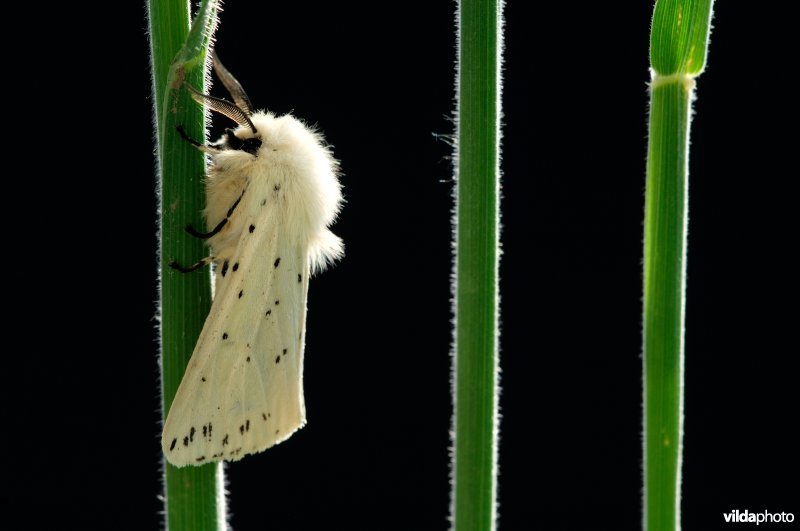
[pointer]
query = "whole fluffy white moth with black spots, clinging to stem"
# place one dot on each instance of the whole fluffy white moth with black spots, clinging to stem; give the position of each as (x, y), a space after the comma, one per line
(272, 191)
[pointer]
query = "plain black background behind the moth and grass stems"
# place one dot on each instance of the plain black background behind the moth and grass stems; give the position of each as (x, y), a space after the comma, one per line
(378, 79)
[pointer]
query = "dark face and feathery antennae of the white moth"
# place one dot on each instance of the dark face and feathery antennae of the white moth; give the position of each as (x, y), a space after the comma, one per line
(240, 111)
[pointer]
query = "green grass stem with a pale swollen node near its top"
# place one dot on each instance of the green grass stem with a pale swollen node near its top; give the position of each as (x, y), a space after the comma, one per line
(679, 40)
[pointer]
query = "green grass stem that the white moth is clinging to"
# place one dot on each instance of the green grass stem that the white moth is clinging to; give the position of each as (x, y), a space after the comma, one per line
(194, 496)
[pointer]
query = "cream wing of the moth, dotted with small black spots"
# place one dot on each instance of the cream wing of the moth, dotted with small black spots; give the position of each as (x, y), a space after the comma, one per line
(242, 391)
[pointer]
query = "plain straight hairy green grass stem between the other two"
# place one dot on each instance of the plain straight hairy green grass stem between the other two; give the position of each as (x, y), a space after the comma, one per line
(477, 257)
